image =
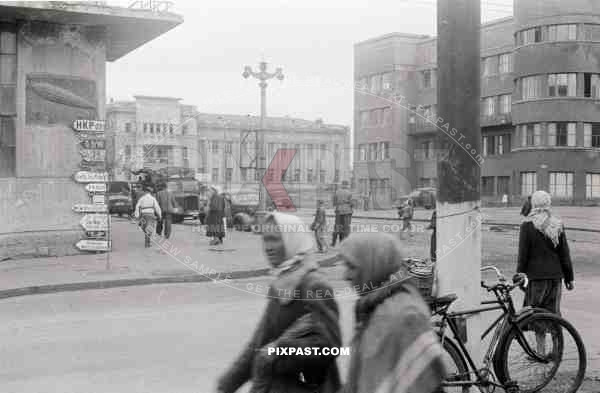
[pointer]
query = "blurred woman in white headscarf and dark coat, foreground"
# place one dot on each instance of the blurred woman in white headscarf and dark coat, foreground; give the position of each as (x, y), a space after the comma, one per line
(301, 313)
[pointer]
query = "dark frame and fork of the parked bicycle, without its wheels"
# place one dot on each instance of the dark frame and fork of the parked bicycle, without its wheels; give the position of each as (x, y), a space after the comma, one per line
(502, 324)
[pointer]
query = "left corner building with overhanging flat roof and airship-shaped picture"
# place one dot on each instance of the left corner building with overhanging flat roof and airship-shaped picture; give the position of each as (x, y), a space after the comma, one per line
(52, 72)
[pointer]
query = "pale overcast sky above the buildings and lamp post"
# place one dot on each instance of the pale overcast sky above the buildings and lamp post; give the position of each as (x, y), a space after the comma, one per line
(201, 61)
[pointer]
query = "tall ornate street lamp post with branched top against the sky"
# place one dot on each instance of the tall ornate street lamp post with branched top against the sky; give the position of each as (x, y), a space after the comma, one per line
(263, 76)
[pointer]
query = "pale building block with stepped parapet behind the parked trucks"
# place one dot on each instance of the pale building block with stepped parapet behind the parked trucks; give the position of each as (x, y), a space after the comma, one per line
(154, 133)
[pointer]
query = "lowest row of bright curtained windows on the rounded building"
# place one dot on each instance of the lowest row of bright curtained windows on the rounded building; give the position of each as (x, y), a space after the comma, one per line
(561, 184)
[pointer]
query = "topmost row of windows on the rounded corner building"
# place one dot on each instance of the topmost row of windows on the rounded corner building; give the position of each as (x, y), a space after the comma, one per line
(561, 32)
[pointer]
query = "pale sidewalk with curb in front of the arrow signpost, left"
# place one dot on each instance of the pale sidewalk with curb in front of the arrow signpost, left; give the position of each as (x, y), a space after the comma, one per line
(186, 258)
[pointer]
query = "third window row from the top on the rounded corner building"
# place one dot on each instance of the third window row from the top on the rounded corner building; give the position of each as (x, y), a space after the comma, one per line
(558, 134)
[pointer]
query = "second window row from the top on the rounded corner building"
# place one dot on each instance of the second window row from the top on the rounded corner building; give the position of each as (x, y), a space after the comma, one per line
(559, 85)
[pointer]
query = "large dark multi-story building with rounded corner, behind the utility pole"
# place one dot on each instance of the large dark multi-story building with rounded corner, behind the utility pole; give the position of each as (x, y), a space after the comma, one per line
(540, 106)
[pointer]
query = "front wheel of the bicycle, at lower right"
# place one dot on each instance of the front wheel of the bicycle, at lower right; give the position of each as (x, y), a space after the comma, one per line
(543, 351)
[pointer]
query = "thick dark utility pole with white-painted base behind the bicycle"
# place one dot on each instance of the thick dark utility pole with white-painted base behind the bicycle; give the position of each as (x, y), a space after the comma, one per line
(459, 171)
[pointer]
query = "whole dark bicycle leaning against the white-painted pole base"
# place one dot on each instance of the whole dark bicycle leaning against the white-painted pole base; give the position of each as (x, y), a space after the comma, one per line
(511, 328)
